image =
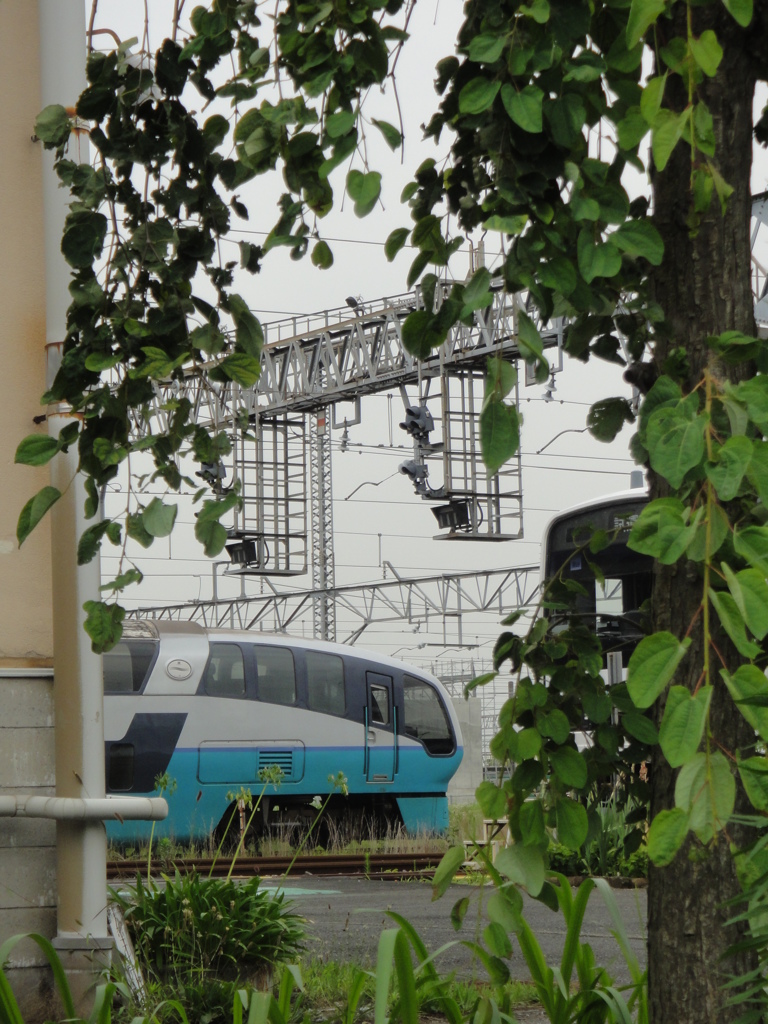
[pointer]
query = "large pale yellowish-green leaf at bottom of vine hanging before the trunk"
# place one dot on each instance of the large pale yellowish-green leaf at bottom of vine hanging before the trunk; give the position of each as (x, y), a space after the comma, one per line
(707, 791)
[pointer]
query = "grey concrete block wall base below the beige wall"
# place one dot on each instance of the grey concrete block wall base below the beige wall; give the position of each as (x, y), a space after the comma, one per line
(28, 854)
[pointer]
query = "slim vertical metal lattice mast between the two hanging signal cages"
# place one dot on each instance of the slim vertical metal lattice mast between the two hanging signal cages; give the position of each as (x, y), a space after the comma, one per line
(324, 576)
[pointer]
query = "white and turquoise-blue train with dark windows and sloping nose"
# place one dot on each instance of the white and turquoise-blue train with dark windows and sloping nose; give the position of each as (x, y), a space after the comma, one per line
(214, 707)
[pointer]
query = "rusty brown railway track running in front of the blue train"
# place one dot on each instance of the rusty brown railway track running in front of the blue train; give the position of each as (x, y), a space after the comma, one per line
(379, 866)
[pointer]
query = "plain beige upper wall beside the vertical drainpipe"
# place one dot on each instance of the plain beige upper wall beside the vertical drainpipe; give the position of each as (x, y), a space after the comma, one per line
(25, 575)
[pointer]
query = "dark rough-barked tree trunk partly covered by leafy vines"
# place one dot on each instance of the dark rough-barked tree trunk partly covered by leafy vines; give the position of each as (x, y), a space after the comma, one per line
(704, 288)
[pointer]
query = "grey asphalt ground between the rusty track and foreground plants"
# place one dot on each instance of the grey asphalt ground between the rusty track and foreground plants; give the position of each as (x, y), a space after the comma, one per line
(347, 917)
